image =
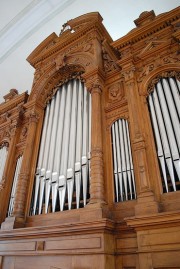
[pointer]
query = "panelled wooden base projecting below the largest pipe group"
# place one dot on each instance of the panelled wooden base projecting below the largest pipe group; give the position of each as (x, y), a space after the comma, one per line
(81, 245)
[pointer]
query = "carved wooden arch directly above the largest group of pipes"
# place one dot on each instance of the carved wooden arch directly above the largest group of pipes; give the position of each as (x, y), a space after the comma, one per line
(63, 68)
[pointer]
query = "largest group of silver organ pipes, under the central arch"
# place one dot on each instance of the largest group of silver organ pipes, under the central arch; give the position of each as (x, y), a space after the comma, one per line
(62, 174)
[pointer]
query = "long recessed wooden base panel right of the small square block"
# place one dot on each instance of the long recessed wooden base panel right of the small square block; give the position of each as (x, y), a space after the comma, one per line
(82, 243)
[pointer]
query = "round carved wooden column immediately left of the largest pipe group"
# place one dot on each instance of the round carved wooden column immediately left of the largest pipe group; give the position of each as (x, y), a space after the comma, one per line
(23, 180)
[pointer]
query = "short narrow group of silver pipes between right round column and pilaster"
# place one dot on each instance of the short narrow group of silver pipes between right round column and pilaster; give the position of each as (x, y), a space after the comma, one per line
(123, 166)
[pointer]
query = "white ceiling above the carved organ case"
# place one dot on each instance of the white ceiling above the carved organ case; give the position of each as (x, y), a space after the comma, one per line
(26, 23)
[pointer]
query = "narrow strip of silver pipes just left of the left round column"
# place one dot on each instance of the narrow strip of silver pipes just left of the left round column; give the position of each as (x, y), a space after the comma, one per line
(15, 179)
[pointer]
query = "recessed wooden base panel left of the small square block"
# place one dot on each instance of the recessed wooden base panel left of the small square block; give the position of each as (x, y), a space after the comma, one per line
(23, 246)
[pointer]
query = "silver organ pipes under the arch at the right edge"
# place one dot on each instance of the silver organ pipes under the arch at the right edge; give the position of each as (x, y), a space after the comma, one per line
(165, 115)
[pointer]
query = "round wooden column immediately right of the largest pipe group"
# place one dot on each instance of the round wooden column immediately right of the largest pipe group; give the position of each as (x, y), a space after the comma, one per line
(97, 177)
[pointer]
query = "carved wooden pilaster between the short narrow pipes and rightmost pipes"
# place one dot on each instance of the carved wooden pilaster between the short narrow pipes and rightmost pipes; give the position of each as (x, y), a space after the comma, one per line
(146, 200)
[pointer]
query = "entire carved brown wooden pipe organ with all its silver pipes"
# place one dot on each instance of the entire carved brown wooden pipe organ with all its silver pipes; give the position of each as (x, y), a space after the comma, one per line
(90, 160)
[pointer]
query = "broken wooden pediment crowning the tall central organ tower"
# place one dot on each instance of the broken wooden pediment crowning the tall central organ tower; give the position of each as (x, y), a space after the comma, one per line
(71, 31)
